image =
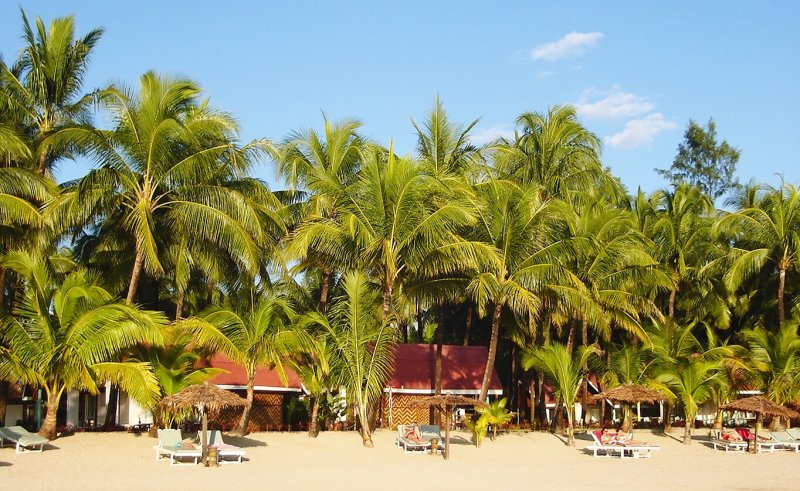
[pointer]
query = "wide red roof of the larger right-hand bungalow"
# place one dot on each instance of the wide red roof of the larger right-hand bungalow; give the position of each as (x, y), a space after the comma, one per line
(462, 369)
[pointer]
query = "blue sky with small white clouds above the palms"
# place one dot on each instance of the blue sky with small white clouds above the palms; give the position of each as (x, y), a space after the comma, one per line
(637, 71)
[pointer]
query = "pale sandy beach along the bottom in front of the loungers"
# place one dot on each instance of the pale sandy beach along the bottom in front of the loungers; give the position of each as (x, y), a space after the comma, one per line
(336, 460)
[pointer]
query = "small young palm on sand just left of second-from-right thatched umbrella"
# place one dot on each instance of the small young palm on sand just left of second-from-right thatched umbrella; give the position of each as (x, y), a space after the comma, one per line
(564, 369)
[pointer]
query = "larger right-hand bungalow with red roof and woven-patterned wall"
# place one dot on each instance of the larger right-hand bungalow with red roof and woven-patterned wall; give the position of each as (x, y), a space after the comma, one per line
(414, 378)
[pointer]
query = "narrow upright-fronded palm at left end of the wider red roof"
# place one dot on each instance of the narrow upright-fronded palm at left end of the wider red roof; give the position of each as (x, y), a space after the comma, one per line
(363, 342)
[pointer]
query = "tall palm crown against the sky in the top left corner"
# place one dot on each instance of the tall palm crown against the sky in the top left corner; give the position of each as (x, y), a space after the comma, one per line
(43, 87)
